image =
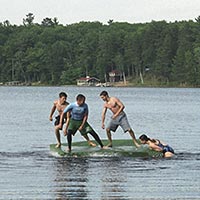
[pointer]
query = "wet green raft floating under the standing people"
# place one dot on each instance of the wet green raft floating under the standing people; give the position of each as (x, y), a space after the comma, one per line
(123, 148)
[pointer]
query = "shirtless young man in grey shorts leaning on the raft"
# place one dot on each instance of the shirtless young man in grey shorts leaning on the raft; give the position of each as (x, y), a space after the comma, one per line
(119, 117)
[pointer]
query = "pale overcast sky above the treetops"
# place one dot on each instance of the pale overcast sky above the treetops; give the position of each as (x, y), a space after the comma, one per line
(74, 11)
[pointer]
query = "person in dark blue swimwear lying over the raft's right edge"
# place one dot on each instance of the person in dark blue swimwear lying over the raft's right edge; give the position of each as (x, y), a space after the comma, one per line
(157, 145)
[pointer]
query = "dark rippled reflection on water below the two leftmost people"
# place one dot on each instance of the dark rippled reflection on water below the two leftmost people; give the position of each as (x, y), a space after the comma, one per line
(70, 178)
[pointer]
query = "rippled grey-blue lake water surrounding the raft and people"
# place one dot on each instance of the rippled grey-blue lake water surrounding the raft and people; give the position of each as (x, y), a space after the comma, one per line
(28, 170)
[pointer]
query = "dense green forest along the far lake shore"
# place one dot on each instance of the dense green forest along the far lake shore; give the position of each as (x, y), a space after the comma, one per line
(54, 54)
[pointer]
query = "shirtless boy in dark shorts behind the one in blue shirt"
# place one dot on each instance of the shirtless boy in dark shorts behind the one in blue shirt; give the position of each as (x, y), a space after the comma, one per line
(59, 105)
